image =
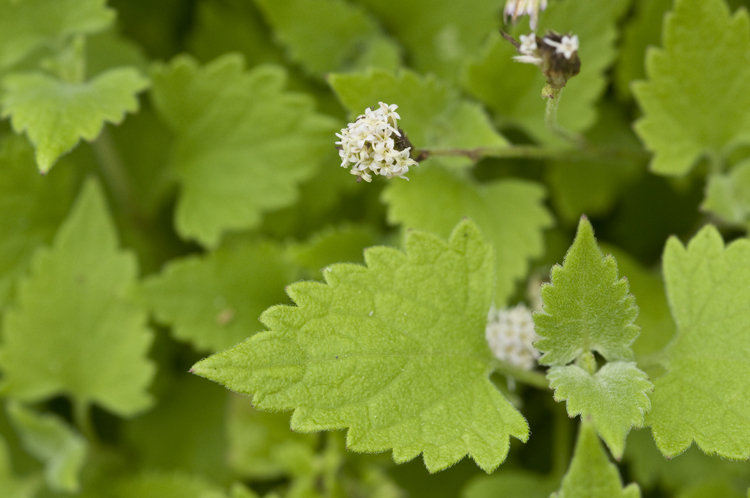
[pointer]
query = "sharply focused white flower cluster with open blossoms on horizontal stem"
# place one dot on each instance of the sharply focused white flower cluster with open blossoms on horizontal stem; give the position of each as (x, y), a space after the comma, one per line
(374, 146)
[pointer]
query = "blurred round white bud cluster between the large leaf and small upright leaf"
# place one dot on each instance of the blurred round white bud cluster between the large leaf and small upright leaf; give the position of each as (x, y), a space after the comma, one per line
(510, 334)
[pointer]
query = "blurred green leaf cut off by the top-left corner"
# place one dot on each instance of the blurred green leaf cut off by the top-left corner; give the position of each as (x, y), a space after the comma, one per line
(31, 24)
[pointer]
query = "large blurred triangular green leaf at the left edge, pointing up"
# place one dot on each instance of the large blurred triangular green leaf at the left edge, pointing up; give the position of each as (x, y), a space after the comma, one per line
(73, 329)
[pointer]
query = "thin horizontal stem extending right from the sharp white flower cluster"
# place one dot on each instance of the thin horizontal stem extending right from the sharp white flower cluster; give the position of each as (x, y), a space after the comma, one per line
(609, 155)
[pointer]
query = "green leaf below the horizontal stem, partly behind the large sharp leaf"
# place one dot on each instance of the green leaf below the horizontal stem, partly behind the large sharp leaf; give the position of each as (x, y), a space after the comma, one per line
(505, 210)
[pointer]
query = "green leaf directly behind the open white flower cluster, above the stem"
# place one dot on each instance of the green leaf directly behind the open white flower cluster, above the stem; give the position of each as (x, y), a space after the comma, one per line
(433, 114)
